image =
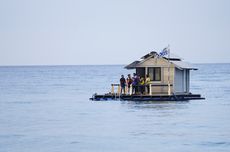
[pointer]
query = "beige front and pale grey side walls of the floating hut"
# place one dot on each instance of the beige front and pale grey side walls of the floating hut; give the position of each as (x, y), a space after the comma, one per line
(179, 78)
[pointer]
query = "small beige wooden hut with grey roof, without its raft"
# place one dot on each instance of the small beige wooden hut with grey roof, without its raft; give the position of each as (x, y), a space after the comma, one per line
(164, 72)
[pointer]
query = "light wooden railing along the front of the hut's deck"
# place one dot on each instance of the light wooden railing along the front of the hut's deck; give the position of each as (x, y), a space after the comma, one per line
(130, 90)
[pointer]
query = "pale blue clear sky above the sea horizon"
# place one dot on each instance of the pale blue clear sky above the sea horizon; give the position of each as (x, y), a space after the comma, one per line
(88, 32)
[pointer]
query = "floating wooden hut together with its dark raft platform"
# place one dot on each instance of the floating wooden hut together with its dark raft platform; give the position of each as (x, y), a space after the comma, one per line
(169, 80)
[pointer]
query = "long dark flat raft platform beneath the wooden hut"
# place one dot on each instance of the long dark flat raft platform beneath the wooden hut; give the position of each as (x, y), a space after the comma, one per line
(134, 97)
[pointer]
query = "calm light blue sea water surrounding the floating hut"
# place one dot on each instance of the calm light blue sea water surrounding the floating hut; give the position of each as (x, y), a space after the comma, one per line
(47, 109)
